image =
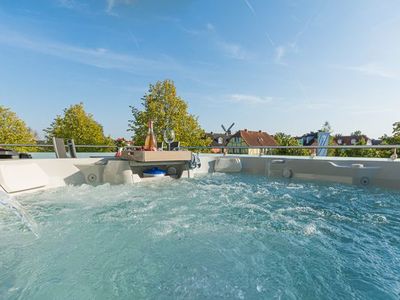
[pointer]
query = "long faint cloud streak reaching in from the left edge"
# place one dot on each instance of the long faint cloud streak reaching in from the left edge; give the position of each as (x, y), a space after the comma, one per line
(97, 57)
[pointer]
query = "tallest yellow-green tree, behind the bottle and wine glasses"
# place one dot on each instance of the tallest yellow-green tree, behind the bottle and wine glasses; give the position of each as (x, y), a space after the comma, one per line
(166, 109)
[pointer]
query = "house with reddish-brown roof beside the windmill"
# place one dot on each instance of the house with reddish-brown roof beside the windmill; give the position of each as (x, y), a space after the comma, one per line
(247, 138)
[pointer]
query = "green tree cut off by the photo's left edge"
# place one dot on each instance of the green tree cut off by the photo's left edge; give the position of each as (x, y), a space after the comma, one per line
(13, 130)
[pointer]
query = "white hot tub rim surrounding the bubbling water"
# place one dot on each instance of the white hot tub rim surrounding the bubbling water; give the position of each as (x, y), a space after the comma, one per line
(30, 175)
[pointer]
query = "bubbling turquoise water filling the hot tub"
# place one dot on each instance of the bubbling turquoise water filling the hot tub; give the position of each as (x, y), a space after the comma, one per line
(213, 237)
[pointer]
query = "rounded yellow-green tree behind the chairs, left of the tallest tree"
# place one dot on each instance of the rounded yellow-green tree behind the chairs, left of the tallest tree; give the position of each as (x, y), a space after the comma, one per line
(78, 125)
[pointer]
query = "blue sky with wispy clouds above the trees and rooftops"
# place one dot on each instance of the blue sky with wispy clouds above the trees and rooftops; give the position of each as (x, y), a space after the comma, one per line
(271, 65)
